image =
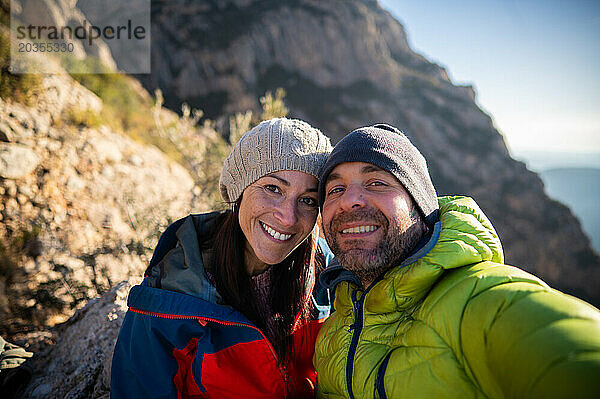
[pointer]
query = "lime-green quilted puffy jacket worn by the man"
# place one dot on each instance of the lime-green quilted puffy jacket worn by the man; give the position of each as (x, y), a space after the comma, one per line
(457, 323)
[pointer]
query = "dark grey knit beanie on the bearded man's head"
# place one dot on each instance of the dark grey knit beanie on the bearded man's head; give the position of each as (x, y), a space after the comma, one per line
(385, 146)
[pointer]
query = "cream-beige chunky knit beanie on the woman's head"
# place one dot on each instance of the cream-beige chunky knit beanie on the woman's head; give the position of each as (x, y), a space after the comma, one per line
(271, 146)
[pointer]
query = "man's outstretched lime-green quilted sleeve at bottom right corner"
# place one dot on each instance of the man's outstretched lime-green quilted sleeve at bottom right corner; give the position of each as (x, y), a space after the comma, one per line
(525, 340)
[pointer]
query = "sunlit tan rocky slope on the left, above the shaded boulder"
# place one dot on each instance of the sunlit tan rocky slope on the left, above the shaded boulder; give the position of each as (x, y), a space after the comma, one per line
(81, 208)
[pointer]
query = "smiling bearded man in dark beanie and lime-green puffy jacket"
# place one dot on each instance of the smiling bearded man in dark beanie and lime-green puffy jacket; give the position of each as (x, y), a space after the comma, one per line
(424, 305)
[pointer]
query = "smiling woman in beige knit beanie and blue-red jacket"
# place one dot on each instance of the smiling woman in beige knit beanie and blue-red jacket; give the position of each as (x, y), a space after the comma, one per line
(230, 296)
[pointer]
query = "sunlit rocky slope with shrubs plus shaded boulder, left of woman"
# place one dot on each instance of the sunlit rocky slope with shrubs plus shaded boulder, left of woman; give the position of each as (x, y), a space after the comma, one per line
(82, 205)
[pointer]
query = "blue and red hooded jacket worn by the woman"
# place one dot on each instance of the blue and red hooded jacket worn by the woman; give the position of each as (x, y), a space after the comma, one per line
(180, 341)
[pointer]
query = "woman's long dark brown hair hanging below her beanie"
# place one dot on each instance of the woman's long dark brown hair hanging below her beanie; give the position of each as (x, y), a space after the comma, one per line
(290, 283)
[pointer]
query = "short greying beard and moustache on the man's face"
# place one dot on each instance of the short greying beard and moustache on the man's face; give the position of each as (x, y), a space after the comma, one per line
(399, 239)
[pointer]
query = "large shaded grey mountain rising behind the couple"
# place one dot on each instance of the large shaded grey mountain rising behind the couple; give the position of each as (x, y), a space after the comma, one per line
(345, 64)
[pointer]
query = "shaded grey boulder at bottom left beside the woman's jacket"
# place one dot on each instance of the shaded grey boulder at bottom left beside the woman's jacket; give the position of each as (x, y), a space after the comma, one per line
(78, 366)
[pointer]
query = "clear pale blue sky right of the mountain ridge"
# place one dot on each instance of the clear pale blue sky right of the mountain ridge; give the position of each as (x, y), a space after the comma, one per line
(534, 64)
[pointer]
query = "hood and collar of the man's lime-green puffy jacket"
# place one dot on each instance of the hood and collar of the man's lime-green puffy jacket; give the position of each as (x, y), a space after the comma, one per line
(463, 236)
